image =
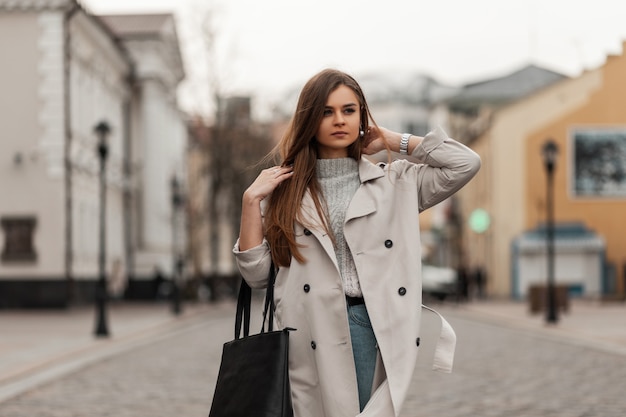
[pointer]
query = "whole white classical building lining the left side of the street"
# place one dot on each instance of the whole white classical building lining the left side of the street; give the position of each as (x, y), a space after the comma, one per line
(70, 71)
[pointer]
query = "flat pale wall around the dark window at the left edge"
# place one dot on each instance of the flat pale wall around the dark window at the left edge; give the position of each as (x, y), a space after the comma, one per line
(31, 115)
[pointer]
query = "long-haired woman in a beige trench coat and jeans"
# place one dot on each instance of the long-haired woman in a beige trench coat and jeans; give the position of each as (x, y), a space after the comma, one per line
(344, 233)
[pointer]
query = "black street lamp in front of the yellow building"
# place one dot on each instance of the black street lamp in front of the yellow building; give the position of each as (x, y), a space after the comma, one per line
(549, 152)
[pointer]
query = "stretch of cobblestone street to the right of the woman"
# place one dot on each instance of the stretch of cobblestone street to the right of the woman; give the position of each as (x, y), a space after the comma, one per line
(501, 371)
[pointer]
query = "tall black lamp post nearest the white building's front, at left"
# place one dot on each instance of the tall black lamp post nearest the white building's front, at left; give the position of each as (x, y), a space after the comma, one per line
(102, 130)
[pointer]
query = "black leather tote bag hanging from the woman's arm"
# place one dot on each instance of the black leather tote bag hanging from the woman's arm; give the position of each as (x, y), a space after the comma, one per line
(253, 380)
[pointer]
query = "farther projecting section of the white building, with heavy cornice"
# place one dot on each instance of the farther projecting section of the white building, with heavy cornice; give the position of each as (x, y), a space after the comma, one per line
(157, 150)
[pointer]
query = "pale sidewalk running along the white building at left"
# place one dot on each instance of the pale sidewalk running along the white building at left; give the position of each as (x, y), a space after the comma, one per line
(38, 346)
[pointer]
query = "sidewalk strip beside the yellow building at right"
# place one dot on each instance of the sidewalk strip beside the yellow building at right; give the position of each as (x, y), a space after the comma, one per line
(590, 323)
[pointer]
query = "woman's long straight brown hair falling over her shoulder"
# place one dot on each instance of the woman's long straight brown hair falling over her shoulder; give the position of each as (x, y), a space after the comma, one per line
(299, 148)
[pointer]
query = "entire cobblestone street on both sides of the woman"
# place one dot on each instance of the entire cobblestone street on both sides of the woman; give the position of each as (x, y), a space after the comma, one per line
(499, 371)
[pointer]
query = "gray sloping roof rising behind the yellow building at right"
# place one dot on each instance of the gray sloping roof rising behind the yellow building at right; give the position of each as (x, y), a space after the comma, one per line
(508, 88)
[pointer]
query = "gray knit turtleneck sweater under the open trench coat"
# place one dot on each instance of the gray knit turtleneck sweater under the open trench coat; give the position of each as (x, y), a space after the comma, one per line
(339, 180)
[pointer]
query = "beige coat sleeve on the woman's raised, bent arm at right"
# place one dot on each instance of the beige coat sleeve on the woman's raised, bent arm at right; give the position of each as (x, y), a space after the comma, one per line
(446, 166)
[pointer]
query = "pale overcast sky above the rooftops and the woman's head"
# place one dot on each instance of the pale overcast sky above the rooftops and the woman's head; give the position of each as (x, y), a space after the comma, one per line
(267, 48)
